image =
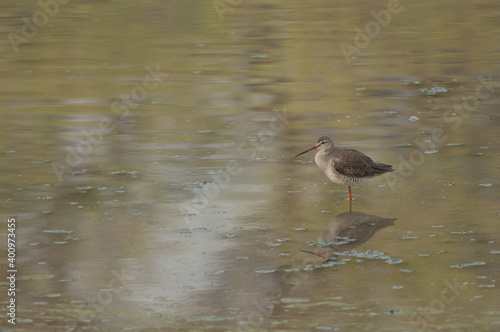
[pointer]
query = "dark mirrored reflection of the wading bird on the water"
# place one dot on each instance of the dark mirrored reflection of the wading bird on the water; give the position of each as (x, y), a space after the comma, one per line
(347, 231)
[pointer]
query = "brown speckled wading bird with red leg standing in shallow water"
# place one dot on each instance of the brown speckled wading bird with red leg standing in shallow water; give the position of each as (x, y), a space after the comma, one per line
(345, 166)
